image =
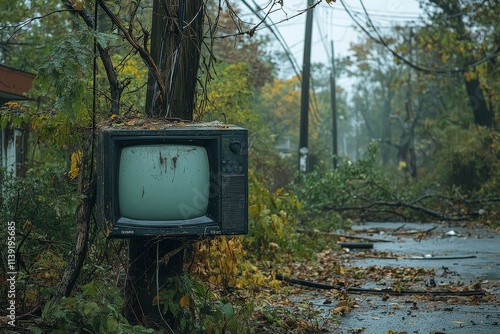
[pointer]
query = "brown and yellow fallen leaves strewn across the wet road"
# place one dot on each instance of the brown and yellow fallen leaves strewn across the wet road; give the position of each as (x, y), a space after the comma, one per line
(334, 268)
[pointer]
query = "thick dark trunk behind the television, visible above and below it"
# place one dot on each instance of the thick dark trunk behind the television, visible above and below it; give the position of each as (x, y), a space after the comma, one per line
(176, 37)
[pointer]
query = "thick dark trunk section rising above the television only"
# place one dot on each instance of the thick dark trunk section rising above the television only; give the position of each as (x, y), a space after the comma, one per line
(175, 46)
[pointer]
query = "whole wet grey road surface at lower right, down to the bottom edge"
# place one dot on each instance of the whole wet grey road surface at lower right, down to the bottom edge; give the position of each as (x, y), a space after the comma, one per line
(459, 259)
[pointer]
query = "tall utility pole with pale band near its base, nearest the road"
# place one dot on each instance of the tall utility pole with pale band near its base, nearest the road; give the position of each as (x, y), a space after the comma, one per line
(304, 104)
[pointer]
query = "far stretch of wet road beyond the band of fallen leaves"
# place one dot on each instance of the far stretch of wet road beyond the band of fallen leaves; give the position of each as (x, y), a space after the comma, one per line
(470, 253)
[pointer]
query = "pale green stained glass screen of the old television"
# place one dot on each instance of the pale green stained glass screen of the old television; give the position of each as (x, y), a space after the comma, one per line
(163, 182)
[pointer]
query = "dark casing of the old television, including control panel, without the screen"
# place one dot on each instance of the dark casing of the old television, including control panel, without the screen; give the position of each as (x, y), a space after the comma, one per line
(227, 148)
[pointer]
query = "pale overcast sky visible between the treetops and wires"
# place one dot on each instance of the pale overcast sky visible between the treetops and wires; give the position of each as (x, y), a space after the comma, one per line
(332, 23)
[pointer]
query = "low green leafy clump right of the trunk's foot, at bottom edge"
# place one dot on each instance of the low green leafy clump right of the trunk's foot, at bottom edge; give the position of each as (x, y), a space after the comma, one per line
(197, 310)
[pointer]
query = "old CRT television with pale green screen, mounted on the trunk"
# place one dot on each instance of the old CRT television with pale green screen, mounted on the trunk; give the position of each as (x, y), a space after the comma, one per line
(173, 181)
